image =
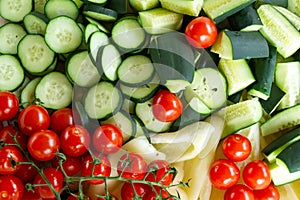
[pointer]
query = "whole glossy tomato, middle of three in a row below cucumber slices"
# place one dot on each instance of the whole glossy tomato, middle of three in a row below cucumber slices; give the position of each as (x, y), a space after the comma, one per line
(75, 140)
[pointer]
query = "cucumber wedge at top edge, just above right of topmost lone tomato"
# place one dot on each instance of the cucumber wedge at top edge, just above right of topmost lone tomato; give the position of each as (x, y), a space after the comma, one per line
(220, 10)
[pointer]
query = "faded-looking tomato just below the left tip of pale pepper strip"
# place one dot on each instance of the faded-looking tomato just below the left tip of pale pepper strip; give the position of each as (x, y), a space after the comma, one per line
(132, 166)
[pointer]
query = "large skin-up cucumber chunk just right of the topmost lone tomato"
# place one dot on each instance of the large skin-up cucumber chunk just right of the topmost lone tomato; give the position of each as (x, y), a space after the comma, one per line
(241, 45)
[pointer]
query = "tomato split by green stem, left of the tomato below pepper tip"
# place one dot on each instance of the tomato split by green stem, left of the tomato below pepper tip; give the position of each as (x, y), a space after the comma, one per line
(101, 168)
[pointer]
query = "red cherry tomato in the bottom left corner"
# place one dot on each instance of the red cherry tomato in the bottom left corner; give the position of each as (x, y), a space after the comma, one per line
(11, 188)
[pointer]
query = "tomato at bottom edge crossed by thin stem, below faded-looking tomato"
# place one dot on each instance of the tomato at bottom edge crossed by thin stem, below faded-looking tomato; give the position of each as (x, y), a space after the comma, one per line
(130, 191)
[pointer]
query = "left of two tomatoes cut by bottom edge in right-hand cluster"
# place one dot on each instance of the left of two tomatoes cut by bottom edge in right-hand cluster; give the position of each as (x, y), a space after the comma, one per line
(239, 192)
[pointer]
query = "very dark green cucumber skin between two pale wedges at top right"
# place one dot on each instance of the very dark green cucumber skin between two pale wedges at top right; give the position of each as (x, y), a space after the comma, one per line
(244, 18)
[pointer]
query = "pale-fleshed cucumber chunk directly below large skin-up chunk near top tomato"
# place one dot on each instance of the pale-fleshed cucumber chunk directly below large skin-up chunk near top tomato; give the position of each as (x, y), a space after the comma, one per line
(237, 73)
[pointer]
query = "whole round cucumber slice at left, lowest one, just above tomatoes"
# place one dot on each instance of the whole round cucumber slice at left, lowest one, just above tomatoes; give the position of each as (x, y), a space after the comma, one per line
(54, 91)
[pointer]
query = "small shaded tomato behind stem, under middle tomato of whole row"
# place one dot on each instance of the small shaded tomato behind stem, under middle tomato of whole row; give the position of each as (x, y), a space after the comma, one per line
(72, 165)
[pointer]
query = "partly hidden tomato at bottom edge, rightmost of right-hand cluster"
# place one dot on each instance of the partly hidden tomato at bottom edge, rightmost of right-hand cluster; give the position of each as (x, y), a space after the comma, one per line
(269, 193)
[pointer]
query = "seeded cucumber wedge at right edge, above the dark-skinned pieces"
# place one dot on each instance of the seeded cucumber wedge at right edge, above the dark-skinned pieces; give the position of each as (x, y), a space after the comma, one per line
(281, 121)
